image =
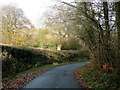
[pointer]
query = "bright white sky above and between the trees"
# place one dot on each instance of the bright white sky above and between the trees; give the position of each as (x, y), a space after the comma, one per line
(33, 9)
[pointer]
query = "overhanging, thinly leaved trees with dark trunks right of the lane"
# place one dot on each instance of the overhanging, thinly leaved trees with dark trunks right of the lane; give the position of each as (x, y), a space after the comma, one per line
(95, 23)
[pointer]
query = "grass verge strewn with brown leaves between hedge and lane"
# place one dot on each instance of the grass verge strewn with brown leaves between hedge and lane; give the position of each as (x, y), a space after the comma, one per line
(22, 78)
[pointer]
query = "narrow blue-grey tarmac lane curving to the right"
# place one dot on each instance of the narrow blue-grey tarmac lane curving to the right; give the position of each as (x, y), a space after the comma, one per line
(59, 77)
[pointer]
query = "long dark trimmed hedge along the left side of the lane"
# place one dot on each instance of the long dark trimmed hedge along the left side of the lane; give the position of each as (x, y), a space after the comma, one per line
(16, 59)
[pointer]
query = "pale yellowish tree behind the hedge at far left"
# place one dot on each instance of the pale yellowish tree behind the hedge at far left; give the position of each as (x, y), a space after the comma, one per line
(15, 28)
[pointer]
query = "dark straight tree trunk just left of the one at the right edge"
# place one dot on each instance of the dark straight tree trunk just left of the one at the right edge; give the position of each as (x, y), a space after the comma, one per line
(106, 46)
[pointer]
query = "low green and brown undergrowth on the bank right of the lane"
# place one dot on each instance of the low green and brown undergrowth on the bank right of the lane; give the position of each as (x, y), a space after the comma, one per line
(99, 78)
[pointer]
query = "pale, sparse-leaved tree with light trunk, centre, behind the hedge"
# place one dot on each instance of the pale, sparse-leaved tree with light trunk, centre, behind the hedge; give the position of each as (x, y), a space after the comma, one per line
(59, 21)
